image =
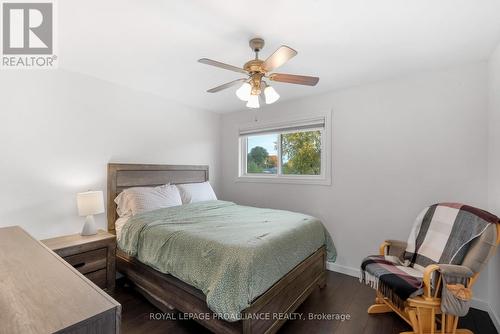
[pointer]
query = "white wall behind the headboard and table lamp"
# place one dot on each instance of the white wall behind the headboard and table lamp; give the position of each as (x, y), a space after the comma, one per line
(60, 129)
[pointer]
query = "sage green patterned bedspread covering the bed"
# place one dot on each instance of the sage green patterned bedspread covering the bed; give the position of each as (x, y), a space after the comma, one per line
(232, 253)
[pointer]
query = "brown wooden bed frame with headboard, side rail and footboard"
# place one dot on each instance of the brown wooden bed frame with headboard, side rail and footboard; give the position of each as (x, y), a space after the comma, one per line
(266, 314)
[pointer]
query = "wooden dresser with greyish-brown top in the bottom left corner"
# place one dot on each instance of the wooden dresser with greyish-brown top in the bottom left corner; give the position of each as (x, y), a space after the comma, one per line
(42, 293)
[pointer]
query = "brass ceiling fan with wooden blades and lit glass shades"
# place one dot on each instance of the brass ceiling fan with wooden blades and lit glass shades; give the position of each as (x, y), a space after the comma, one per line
(257, 70)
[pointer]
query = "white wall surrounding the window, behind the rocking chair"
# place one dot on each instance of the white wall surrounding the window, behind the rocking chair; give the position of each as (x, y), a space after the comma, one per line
(398, 146)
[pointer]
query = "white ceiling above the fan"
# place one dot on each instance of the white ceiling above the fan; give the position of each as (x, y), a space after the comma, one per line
(154, 45)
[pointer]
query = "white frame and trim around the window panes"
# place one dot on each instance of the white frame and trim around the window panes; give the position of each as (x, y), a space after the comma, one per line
(326, 139)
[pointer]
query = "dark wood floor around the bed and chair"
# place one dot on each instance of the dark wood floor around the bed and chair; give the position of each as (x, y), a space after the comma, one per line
(343, 294)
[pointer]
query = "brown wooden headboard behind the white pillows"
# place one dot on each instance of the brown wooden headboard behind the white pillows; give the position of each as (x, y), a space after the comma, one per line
(122, 176)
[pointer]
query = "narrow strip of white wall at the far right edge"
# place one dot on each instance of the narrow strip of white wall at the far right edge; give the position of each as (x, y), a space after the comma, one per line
(494, 173)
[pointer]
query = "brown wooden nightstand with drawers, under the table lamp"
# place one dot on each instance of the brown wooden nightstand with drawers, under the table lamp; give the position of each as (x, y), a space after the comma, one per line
(92, 255)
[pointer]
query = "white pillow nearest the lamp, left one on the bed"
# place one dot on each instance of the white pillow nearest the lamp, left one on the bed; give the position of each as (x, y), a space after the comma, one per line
(135, 200)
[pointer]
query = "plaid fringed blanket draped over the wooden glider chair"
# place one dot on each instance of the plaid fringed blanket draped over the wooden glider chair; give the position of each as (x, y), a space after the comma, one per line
(442, 233)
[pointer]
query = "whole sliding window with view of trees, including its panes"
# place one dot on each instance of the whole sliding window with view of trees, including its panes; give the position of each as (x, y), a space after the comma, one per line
(295, 152)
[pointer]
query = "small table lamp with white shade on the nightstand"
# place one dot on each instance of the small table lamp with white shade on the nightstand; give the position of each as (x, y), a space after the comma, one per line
(89, 204)
